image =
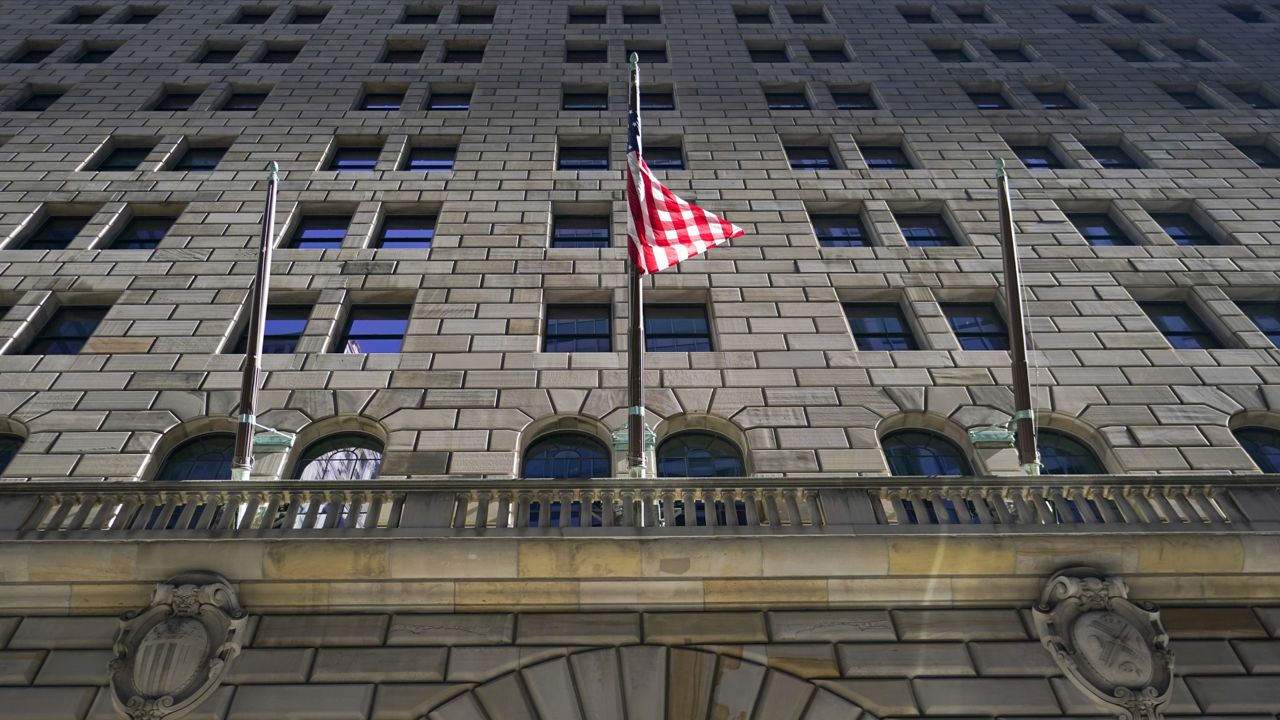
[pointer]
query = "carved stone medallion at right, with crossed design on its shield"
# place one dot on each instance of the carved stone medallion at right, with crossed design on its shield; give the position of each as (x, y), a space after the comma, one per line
(1114, 650)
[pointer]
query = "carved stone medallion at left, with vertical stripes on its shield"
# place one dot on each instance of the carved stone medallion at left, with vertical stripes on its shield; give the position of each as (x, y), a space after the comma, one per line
(172, 655)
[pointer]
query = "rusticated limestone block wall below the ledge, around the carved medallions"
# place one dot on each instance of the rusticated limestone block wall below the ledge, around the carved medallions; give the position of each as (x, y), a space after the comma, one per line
(976, 663)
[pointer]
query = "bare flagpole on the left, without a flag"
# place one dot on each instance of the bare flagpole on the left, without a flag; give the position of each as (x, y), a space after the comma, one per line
(245, 430)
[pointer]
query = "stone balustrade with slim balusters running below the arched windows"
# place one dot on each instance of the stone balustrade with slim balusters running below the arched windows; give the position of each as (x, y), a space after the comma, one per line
(450, 507)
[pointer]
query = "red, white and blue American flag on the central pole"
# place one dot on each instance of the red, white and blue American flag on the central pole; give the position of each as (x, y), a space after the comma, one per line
(664, 230)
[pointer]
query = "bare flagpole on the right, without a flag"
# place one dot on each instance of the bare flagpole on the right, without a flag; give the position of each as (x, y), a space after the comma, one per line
(1025, 417)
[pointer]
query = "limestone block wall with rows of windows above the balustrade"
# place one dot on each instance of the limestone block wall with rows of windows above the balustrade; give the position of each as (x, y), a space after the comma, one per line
(473, 388)
